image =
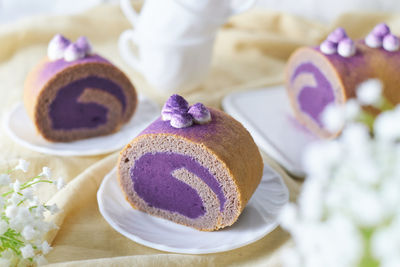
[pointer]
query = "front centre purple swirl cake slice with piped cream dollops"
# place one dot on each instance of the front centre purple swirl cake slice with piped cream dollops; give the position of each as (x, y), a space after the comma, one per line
(195, 166)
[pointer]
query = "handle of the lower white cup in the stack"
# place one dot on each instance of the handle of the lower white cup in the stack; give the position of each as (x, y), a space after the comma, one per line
(124, 41)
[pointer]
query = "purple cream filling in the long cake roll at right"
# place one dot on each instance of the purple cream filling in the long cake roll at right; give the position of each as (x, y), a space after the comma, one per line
(313, 100)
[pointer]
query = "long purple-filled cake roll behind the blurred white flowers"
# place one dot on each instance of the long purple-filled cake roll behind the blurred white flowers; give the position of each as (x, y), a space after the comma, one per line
(331, 73)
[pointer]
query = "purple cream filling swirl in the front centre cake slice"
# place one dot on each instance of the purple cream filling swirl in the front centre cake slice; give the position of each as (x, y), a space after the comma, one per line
(154, 183)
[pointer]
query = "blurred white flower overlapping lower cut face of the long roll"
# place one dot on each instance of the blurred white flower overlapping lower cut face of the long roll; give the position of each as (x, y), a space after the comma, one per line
(333, 118)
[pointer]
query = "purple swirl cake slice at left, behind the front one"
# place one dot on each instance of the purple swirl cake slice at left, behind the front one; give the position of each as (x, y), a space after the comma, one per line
(75, 94)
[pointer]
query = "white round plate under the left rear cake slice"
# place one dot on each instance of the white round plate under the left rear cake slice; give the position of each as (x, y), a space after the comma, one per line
(21, 129)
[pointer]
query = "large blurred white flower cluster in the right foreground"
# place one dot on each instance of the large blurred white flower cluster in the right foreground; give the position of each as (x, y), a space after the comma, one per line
(348, 210)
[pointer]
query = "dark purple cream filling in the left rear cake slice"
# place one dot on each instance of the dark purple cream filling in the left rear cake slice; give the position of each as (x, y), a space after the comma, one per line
(67, 113)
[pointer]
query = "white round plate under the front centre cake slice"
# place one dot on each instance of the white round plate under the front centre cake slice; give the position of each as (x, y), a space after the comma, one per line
(257, 220)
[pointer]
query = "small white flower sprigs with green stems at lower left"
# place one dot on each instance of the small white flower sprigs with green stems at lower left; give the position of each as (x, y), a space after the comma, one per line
(23, 223)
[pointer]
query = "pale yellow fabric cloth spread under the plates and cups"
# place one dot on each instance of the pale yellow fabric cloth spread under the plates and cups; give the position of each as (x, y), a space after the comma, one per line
(250, 52)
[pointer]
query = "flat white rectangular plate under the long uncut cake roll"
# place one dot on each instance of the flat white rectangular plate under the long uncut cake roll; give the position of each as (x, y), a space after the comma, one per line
(267, 114)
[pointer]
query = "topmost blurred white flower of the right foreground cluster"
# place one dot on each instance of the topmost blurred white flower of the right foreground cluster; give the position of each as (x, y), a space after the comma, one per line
(370, 92)
